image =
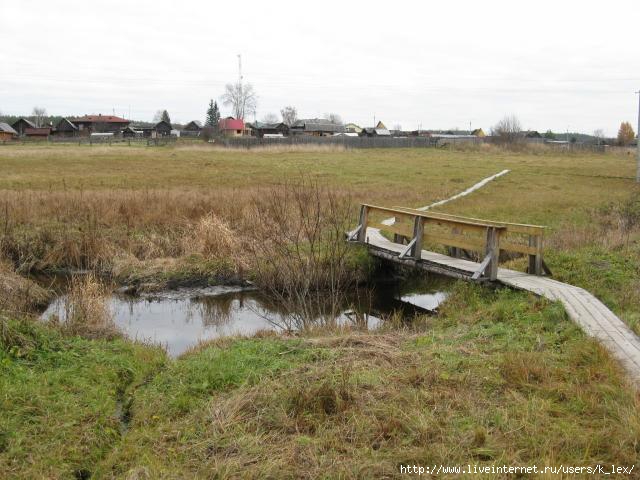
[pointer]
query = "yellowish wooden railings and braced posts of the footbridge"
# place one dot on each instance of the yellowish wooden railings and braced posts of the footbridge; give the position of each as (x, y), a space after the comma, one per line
(414, 228)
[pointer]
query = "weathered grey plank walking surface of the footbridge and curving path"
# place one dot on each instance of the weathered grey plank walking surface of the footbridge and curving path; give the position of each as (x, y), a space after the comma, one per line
(595, 319)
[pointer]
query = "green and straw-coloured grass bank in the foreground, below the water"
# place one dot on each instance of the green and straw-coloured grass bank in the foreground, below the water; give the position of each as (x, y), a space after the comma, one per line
(498, 377)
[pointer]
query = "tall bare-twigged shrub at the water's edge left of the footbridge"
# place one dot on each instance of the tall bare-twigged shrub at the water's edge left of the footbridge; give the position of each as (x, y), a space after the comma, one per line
(298, 250)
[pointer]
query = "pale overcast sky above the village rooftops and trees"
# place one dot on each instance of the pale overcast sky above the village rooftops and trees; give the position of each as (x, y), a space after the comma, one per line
(555, 64)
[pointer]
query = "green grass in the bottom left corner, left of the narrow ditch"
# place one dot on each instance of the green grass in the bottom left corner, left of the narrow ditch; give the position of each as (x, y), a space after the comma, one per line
(61, 398)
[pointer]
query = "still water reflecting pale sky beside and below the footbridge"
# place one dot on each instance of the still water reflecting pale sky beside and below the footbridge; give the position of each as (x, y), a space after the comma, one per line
(180, 319)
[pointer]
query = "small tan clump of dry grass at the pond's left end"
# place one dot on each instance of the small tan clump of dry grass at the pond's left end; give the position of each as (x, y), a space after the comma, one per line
(86, 312)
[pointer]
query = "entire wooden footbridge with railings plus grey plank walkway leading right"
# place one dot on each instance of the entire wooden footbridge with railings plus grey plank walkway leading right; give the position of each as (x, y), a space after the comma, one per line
(406, 236)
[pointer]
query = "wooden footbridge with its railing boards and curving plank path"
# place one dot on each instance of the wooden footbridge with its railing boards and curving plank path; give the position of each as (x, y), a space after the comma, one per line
(595, 319)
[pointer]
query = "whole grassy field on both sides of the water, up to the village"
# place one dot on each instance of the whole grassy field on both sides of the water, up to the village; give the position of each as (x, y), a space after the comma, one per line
(498, 377)
